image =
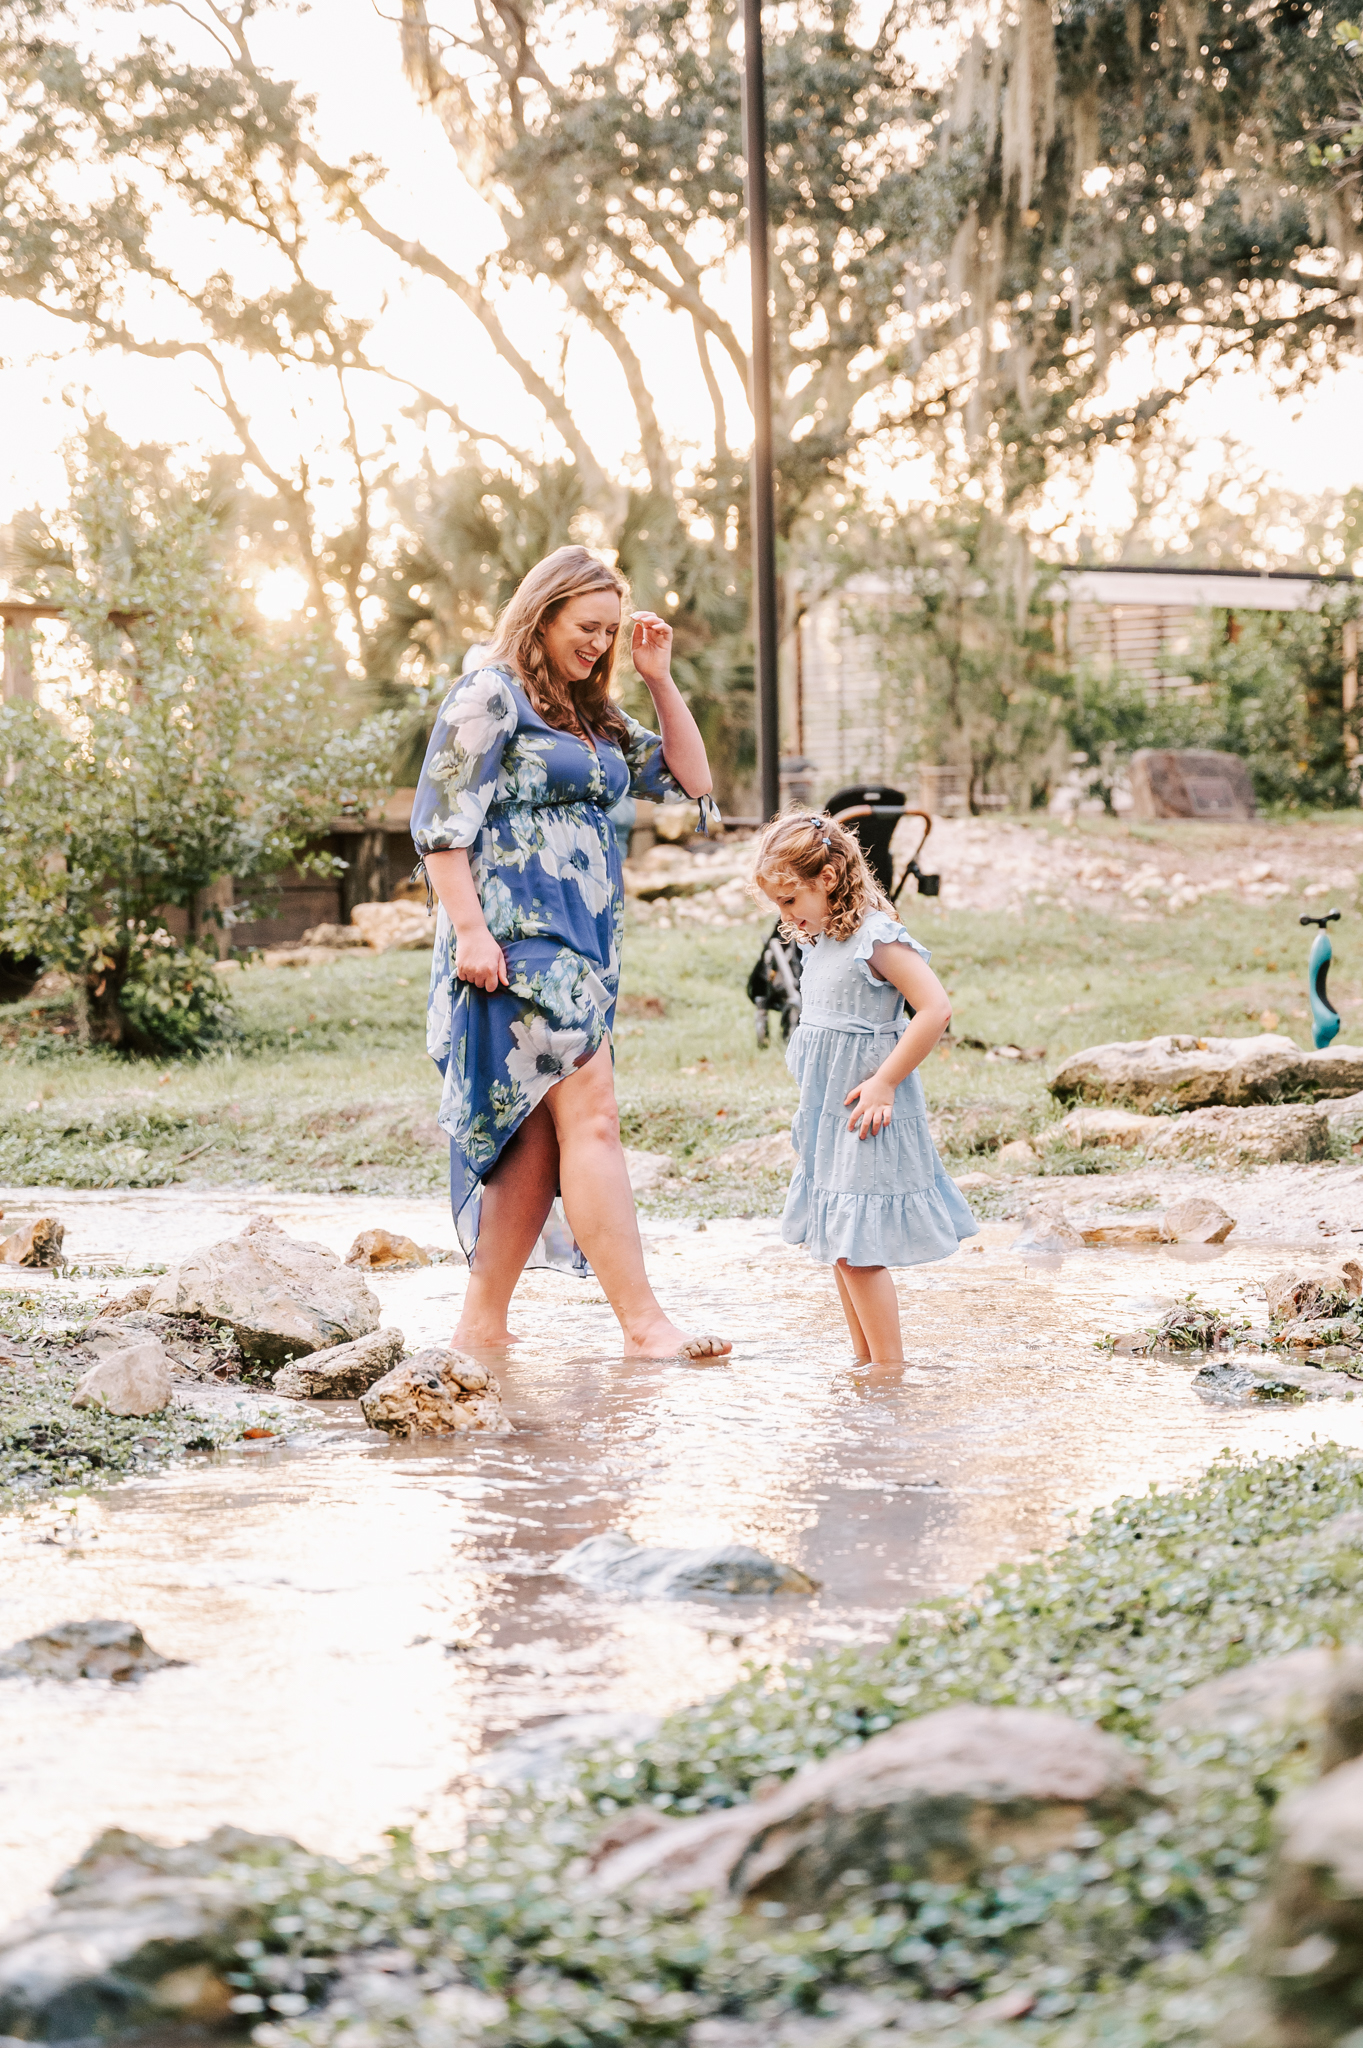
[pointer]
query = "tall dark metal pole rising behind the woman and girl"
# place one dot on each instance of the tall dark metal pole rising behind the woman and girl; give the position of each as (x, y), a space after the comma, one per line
(764, 493)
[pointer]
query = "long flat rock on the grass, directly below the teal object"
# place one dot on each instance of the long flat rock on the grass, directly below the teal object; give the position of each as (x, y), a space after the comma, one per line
(1190, 1074)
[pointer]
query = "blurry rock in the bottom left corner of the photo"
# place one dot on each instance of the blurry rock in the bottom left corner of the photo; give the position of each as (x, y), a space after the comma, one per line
(136, 1936)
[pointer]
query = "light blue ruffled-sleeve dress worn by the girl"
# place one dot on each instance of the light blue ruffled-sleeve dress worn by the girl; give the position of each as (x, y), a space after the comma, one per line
(883, 1201)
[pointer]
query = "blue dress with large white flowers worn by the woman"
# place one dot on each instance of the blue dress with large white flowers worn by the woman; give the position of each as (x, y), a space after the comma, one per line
(531, 804)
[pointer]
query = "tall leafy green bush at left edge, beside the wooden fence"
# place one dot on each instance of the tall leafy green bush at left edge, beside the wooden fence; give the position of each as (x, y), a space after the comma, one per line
(179, 746)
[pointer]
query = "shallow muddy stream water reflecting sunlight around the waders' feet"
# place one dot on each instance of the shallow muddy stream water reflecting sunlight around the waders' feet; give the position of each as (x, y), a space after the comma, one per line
(361, 1621)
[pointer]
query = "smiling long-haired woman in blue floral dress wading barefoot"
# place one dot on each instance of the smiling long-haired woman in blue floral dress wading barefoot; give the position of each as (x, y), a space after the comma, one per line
(527, 759)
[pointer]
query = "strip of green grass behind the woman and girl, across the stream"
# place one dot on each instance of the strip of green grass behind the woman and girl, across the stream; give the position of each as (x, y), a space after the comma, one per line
(326, 1084)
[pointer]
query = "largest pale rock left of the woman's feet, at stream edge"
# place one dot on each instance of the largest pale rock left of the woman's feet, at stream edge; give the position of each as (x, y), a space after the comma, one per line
(279, 1297)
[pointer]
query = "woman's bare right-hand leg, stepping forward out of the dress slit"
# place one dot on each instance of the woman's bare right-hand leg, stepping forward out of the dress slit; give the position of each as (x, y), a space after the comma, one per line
(601, 1205)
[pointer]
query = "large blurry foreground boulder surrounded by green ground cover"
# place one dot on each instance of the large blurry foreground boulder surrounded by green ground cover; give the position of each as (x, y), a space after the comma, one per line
(934, 1799)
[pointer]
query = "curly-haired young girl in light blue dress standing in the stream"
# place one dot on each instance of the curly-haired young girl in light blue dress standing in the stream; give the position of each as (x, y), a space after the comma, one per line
(869, 1189)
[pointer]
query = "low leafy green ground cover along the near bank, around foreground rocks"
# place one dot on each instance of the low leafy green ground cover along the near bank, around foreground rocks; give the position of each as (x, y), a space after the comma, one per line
(1131, 1936)
